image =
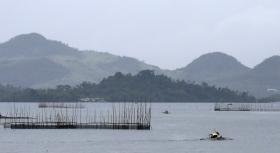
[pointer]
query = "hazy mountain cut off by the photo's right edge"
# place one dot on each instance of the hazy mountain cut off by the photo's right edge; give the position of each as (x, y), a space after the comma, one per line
(262, 80)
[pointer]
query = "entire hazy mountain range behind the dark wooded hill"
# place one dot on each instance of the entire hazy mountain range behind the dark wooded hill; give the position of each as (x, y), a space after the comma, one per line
(31, 60)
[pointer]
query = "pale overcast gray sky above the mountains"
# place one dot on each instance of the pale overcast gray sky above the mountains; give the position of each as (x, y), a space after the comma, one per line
(166, 33)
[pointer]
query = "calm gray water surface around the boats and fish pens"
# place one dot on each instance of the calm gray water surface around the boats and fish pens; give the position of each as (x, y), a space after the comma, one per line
(178, 132)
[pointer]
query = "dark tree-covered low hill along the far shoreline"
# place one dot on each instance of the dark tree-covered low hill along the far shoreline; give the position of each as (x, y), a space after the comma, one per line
(144, 86)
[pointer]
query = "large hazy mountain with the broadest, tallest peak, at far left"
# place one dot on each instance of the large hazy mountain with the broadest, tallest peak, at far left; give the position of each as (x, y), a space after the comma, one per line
(31, 60)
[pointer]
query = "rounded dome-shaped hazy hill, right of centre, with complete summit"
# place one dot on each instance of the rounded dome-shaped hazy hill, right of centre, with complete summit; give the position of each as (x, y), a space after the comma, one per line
(211, 67)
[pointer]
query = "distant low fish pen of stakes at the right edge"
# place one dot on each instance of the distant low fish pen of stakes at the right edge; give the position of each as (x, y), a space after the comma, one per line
(247, 107)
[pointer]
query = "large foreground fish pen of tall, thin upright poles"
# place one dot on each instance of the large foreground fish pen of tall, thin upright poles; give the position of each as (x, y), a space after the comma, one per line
(134, 116)
